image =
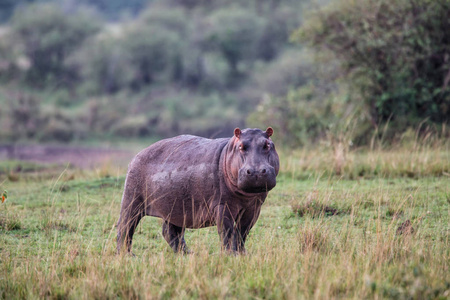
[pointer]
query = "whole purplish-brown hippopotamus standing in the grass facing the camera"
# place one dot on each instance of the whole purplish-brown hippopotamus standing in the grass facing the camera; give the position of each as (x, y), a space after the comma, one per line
(195, 182)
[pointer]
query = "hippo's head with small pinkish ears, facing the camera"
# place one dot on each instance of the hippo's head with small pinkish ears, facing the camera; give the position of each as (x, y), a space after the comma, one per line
(252, 161)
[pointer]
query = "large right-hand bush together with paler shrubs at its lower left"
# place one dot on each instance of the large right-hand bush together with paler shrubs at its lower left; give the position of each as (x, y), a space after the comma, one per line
(381, 67)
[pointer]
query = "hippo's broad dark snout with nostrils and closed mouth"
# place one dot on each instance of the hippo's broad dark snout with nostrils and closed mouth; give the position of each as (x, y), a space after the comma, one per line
(252, 179)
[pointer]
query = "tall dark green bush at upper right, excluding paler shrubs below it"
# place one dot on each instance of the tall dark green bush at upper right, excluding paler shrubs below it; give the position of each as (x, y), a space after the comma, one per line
(393, 57)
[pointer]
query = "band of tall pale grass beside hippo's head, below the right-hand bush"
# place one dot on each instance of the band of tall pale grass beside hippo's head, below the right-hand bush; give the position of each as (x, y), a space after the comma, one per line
(413, 158)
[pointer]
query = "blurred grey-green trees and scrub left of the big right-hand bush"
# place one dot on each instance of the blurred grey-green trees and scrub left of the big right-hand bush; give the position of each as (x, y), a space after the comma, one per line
(177, 67)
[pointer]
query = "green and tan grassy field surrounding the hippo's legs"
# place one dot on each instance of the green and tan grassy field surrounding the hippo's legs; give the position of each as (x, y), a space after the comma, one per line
(378, 230)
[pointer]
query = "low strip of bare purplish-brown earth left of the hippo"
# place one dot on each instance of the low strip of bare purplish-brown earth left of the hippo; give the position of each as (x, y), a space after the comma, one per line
(76, 156)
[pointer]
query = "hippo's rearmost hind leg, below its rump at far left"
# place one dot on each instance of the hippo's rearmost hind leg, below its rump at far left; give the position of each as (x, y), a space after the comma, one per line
(131, 213)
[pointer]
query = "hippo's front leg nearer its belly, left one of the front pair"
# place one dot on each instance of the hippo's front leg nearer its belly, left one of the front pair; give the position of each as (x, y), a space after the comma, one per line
(225, 227)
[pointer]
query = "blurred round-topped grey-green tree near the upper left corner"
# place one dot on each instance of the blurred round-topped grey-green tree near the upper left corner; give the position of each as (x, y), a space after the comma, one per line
(49, 36)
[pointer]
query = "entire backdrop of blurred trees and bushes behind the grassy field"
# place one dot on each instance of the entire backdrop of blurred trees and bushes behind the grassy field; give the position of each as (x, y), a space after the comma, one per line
(351, 70)
